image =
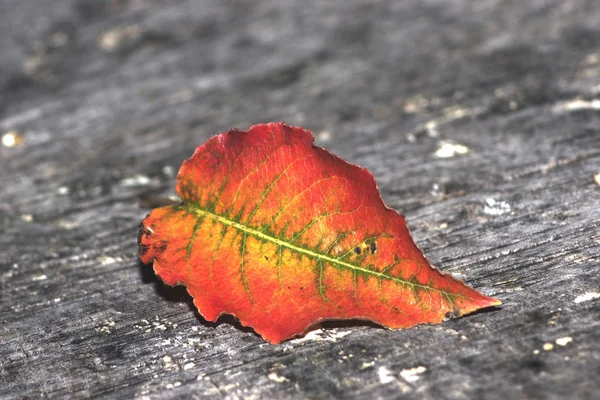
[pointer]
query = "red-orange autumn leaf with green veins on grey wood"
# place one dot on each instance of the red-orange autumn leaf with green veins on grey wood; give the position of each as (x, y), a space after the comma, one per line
(282, 234)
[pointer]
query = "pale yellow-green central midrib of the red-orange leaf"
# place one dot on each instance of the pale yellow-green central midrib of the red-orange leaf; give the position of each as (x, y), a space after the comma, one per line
(261, 235)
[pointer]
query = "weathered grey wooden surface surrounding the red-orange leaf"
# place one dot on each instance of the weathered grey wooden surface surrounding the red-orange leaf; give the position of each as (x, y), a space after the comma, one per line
(111, 96)
